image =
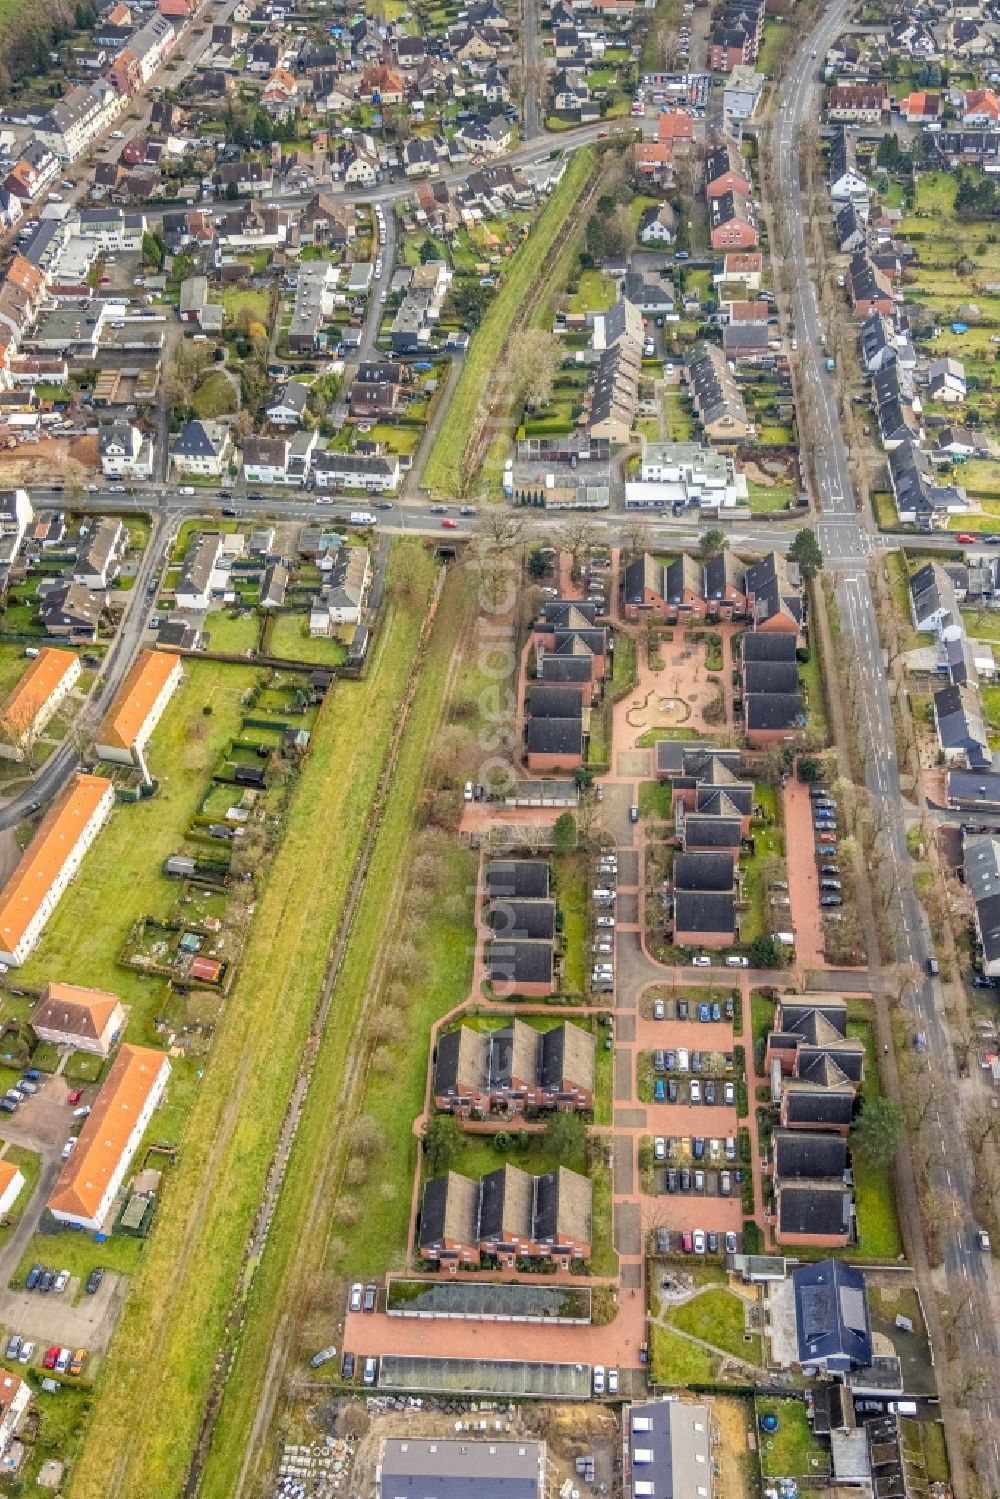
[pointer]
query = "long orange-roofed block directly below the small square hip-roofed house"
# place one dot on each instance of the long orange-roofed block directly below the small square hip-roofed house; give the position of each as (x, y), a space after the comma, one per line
(94, 1176)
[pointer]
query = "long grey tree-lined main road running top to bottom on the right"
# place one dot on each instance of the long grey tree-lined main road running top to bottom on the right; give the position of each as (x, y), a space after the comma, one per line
(848, 545)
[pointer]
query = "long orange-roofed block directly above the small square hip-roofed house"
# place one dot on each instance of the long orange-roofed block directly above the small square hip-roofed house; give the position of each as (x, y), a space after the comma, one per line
(50, 863)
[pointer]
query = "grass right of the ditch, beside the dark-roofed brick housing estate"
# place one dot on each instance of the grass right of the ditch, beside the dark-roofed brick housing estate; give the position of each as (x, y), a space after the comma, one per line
(377, 1239)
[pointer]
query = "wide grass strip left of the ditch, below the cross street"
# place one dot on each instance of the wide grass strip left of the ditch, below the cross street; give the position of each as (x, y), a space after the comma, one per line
(151, 1405)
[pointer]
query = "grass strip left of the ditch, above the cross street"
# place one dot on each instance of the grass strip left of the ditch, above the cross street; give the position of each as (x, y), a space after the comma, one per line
(443, 473)
